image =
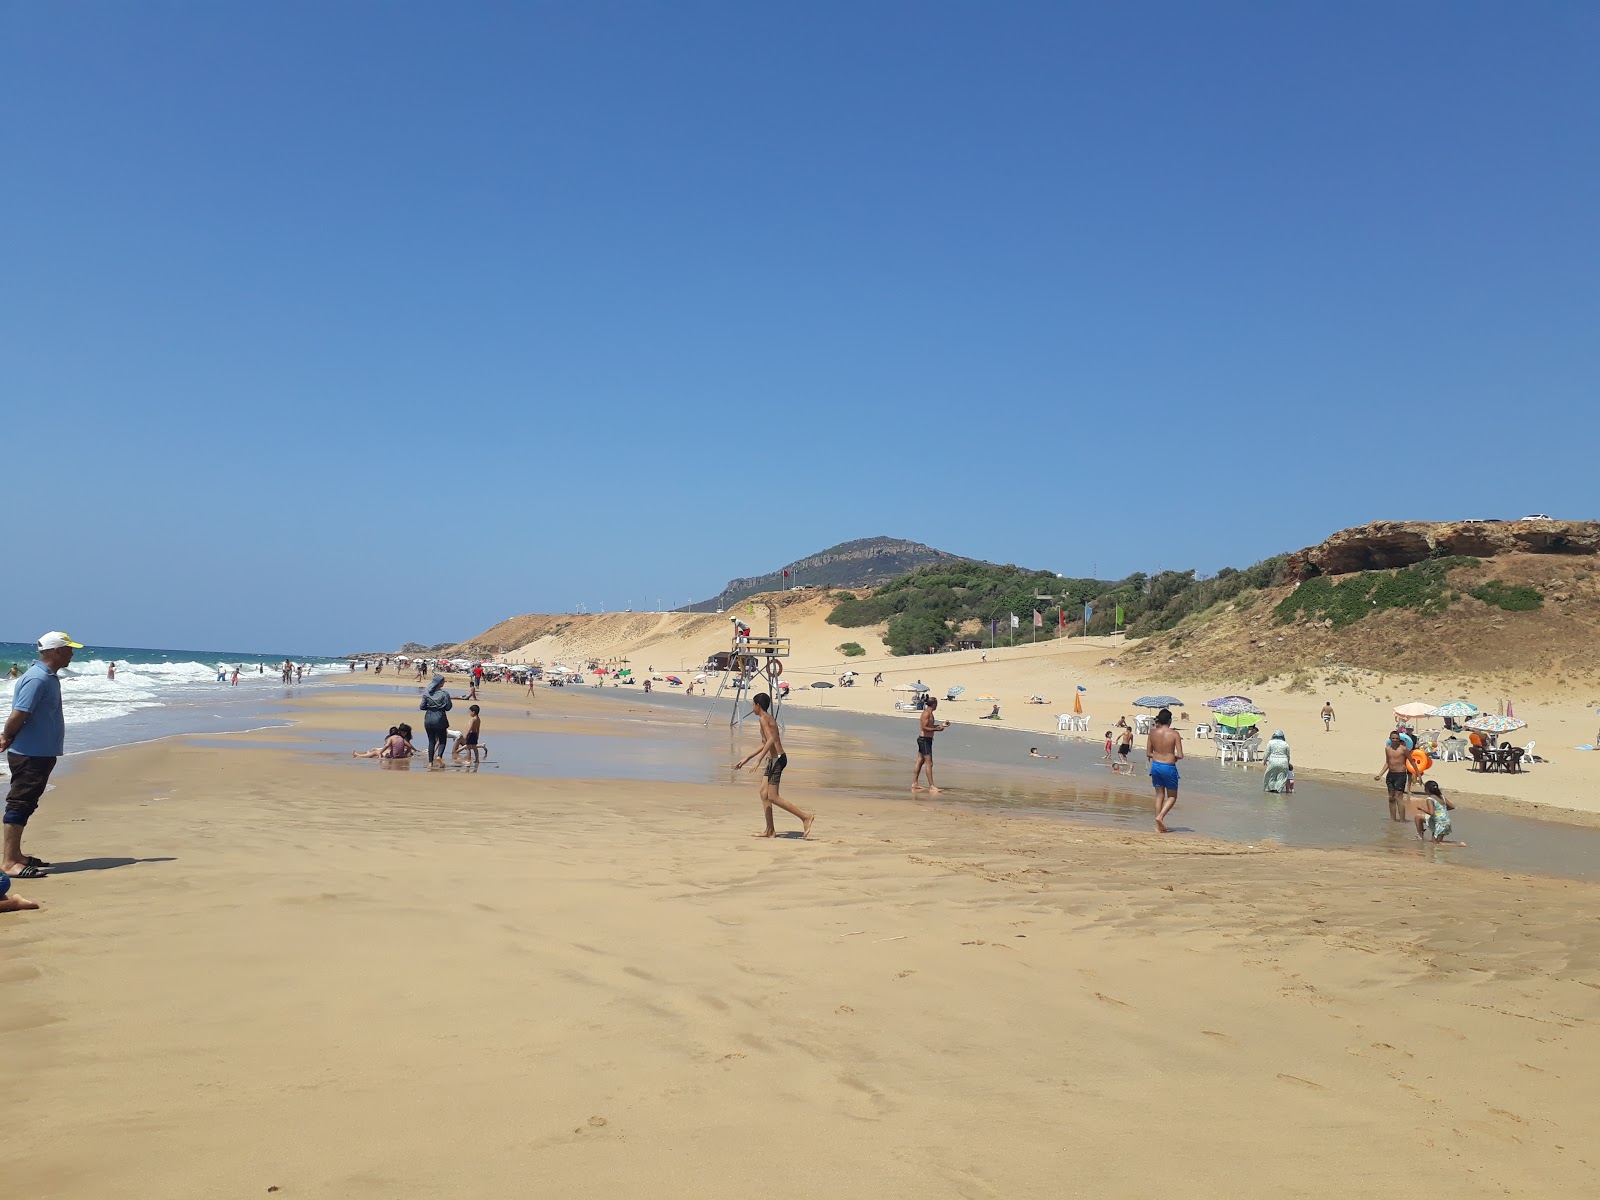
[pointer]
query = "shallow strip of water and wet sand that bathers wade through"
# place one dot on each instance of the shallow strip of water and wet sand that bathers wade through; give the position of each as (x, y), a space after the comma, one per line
(980, 767)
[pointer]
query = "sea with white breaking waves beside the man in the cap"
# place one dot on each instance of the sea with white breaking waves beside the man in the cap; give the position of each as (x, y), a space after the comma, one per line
(164, 692)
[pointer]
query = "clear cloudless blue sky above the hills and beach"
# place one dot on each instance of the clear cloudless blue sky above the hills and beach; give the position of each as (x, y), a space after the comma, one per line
(332, 326)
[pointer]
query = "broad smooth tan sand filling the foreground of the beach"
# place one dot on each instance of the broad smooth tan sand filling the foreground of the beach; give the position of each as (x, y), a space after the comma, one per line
(263, 969)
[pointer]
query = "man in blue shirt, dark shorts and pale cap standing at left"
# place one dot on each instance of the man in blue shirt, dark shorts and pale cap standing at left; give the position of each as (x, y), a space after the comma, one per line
(34, 738)
